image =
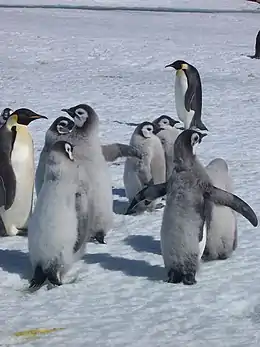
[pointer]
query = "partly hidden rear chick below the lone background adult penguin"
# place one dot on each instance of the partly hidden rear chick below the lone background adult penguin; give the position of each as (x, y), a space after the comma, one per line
(167, 133)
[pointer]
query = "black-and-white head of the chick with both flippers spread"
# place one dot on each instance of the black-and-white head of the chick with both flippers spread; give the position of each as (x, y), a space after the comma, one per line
(187, 142)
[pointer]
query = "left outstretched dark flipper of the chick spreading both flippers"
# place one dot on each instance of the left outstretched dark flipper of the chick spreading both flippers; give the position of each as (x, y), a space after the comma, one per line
(149, 193)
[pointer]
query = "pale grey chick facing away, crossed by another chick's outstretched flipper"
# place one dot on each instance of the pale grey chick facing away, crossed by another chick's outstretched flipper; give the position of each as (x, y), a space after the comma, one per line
(222, 229)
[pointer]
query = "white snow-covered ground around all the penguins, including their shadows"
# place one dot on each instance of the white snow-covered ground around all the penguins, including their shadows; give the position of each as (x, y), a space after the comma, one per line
(115, 61)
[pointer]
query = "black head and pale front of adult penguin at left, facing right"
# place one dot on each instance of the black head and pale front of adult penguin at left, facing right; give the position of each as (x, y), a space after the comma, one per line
(22, 159)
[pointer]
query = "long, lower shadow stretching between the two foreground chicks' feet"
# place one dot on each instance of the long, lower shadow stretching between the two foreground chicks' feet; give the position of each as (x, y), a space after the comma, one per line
(129, 267)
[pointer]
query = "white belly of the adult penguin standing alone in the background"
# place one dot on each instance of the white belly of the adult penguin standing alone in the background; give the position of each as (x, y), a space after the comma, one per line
(181, 86)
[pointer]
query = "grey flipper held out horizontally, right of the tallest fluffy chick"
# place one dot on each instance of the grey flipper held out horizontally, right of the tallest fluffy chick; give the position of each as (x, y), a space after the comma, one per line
(117, 150)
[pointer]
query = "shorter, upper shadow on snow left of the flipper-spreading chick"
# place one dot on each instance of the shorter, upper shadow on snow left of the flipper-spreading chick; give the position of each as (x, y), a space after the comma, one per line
(143, 243)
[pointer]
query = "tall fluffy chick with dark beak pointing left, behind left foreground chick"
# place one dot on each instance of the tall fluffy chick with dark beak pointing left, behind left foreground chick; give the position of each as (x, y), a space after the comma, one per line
(94, 197)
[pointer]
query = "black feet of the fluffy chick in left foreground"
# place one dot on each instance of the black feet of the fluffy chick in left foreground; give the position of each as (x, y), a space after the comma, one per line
(40, 276)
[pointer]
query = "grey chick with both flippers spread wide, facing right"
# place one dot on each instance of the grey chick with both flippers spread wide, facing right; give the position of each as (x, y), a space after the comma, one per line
(189, 197)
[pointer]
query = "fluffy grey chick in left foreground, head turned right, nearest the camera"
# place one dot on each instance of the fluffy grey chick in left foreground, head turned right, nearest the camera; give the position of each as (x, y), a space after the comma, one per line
(53, 238)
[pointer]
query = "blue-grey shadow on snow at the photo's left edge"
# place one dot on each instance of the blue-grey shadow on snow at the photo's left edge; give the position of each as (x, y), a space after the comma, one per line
(15, 261)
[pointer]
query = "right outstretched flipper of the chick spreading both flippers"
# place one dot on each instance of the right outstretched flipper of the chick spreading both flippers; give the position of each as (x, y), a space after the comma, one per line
(222, 197)
